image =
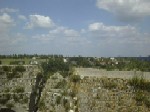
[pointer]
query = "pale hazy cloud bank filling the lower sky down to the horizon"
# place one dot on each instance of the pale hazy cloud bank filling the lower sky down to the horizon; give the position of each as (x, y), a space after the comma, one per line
(98, 39)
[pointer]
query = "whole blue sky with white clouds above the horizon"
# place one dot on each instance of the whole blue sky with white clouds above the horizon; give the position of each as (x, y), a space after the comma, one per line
(99, 28)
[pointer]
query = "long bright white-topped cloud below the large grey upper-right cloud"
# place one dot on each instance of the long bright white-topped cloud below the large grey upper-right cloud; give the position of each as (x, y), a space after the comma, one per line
(103, 31)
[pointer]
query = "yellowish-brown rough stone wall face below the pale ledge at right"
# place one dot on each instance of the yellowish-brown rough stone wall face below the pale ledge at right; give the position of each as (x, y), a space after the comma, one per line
(107, 95)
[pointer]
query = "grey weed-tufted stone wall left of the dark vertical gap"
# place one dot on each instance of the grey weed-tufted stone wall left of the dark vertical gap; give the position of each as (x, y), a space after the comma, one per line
(15, 92)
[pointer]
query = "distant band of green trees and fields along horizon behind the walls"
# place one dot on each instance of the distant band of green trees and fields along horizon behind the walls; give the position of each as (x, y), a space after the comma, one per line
(118, 63)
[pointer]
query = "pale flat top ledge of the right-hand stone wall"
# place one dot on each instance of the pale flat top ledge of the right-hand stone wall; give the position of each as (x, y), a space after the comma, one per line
(91, 72)
